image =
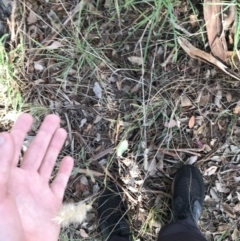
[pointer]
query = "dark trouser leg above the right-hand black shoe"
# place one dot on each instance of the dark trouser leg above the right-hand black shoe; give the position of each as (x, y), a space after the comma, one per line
(181, 230)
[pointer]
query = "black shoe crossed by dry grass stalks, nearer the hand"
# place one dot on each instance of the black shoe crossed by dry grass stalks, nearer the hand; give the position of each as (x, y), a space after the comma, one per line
(112, 213)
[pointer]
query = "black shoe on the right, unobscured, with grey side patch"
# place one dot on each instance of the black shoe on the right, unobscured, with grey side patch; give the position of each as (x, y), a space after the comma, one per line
(188, 193)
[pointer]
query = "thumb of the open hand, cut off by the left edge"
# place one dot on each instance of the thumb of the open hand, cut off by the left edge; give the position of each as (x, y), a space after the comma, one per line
(6, 158)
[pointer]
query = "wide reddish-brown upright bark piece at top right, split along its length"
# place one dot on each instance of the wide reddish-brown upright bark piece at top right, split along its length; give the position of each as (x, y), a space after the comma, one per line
(215, 30)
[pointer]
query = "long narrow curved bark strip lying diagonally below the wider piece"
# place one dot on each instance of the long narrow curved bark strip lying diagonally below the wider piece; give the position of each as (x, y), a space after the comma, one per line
(205, 57)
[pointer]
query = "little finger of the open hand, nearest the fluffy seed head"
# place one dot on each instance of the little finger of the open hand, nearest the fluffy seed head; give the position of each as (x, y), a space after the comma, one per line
(60, 182)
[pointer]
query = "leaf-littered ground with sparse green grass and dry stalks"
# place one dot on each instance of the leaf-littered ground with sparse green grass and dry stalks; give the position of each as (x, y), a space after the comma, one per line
(135, 104)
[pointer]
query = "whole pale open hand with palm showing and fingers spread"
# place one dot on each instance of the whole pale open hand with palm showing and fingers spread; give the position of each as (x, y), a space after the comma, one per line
(28, 203)
